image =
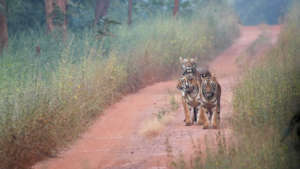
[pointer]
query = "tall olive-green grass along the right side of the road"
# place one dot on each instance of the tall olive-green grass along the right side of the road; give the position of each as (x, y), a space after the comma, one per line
(264, 101)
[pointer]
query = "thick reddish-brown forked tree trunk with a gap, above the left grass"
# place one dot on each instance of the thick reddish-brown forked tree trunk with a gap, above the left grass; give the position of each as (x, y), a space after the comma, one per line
(50, 4)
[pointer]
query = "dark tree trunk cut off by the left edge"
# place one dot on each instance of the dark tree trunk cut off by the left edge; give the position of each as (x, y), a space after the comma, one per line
(3, 27)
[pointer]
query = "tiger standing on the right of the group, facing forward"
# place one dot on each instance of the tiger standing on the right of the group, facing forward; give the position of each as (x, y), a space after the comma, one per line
(210, 95)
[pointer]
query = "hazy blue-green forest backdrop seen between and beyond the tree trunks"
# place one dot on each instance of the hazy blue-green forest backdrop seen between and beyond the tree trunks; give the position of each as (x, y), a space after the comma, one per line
(30, 14)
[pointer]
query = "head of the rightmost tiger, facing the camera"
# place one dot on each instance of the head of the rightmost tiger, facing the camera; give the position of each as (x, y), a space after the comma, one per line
(209, 87)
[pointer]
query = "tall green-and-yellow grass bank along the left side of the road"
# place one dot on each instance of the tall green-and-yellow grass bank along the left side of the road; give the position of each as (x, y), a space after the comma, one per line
(47, 99)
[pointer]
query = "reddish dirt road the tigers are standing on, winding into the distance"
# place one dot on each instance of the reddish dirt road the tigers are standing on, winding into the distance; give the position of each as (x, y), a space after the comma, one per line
(114, 141)
